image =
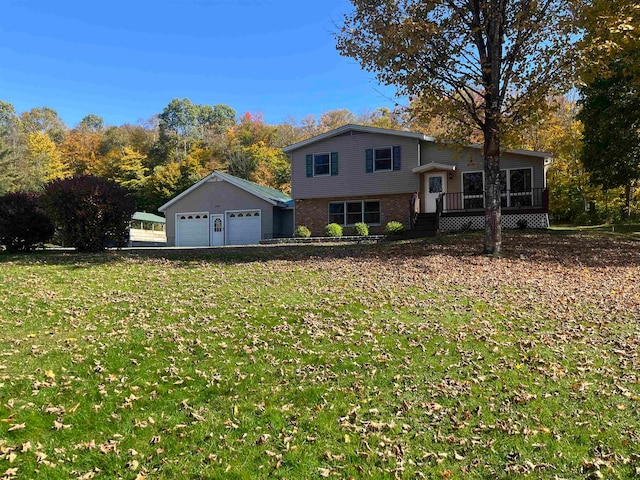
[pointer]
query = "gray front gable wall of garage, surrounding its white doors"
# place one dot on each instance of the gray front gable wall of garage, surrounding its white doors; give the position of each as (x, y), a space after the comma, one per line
(215, 197)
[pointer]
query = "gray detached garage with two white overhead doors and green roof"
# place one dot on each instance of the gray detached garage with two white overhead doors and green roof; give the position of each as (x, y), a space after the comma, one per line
(225, 210)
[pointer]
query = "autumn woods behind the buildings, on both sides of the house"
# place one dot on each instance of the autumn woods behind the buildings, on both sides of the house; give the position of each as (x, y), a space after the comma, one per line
(159, 158)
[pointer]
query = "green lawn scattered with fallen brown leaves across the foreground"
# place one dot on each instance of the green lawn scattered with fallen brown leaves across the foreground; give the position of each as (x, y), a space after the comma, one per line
(418, 359)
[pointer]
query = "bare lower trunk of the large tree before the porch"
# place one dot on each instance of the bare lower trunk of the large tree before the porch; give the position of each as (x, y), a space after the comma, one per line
(492, 204)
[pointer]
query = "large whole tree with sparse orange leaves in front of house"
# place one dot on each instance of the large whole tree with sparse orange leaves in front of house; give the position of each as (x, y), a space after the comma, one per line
(485, 63)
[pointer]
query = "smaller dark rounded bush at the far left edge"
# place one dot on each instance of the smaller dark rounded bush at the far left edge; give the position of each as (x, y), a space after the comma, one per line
(23, 222)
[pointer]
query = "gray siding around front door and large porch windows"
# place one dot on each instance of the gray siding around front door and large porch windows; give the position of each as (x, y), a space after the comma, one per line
(471, 160)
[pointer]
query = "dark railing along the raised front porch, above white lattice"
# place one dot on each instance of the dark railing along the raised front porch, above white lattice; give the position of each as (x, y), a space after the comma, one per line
(536, 198)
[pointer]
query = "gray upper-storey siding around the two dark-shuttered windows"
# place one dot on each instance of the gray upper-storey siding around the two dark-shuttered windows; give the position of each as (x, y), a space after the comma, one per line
(352, 179)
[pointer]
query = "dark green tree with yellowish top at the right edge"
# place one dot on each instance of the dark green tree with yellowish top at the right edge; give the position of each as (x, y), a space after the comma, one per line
(610, 71)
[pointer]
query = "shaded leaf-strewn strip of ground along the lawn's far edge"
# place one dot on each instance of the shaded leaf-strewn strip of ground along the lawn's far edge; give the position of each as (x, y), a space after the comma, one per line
(566, 247)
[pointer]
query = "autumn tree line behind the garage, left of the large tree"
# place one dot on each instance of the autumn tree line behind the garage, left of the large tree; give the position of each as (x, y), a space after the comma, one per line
(160, 157)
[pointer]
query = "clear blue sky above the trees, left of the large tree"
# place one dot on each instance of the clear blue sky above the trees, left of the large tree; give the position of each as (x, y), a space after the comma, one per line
(125, 60)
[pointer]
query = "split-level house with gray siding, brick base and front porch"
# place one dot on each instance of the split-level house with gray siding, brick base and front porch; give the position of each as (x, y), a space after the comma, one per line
(373, 175)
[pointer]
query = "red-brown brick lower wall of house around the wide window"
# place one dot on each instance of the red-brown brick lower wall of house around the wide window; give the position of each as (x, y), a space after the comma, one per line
(314, 212)
